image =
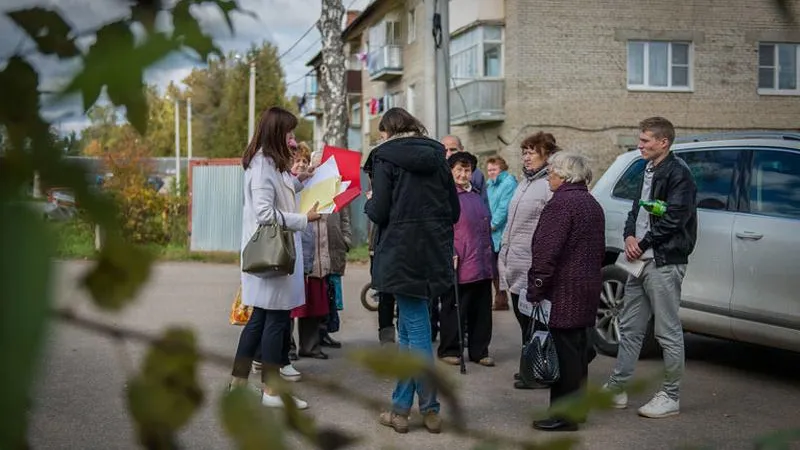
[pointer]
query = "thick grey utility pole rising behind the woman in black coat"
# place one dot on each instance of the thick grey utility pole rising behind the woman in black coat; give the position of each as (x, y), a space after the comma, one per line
(441, 32)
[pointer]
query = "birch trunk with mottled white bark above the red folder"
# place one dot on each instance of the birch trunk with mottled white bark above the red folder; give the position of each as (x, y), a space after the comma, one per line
(332, 74)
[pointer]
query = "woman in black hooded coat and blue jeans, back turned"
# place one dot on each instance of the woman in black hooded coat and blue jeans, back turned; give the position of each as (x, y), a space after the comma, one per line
(414, 205)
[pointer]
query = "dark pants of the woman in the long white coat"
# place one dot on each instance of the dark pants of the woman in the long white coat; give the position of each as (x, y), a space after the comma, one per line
(269, 329)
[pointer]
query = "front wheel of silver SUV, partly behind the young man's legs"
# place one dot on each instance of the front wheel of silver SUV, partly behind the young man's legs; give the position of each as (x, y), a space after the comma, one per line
(607, 329)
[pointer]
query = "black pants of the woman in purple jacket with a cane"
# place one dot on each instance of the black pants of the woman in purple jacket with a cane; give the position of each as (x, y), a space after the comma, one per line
(476, 315)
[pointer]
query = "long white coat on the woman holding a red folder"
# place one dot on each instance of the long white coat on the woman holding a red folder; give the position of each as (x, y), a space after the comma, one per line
(265, 190)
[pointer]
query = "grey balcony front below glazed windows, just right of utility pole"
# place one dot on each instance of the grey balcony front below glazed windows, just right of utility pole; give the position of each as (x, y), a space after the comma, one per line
(478, 101)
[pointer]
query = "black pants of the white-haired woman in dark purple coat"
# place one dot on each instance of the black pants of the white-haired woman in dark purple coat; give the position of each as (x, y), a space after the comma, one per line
(572, 347)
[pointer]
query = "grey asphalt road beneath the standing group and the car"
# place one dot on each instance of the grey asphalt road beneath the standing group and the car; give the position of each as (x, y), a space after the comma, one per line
(731, 392)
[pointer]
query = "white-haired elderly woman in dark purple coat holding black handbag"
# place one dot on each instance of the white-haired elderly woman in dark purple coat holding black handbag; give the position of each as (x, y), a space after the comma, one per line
(568, 248)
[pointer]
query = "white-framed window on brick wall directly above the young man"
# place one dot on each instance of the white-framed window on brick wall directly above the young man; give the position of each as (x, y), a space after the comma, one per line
(659, 65)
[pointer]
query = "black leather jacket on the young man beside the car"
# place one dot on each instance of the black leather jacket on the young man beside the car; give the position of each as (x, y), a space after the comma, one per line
(673, 235)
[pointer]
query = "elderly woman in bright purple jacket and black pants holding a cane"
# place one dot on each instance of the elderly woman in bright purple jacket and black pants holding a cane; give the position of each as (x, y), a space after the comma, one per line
(474, 260)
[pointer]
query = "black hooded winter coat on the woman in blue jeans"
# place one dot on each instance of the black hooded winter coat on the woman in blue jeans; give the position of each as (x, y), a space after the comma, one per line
(414, 206)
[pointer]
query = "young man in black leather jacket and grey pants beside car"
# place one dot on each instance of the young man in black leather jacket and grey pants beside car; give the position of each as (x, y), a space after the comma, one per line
(663, 244)
